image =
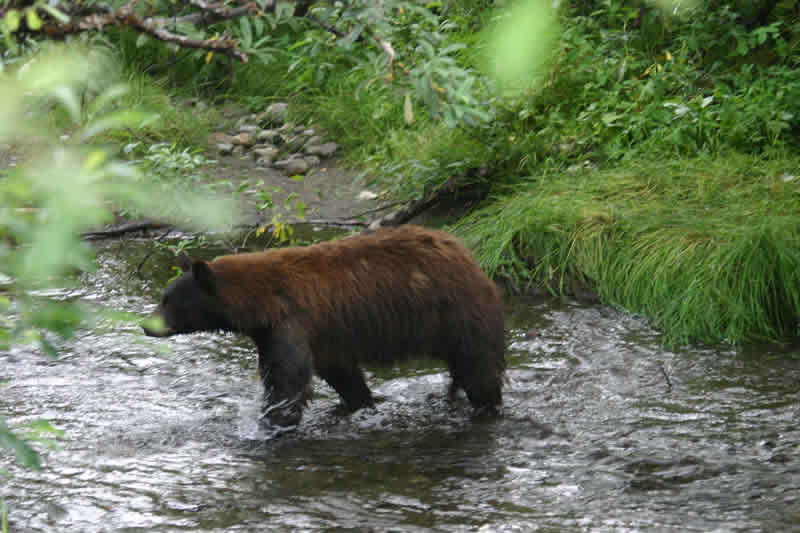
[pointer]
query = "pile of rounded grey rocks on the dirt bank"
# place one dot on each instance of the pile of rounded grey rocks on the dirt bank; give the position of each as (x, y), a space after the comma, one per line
(275, 143)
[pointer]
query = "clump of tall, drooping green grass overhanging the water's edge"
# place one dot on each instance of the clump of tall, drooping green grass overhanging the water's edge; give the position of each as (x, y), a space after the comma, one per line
(708, 249)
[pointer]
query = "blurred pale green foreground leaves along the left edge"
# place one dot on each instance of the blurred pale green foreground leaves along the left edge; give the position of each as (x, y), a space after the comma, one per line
(63, 186)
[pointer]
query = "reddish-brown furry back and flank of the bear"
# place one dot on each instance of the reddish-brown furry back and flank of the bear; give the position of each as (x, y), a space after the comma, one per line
(389, 286)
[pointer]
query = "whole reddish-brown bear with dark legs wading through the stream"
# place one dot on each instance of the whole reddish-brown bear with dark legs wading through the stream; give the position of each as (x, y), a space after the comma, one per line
(377, 297)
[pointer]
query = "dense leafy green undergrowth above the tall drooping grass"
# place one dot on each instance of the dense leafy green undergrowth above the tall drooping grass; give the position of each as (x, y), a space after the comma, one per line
(618, 84)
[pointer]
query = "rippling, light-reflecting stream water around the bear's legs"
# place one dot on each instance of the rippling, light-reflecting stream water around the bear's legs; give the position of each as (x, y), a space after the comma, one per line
(603, 430)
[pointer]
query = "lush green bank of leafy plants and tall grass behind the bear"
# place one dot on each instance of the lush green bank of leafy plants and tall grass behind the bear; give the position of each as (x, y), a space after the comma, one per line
(582, 191)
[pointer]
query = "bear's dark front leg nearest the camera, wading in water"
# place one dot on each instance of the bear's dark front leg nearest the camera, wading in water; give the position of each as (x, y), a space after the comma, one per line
(285, 368)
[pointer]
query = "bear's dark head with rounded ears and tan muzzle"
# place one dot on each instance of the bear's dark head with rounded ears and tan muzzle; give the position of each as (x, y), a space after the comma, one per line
(189, 304)
